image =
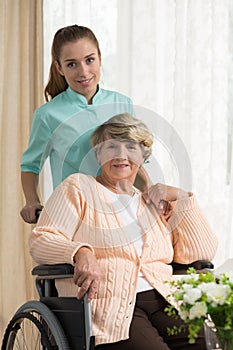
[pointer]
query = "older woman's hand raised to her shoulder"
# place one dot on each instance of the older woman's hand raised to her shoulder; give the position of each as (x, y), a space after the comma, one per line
(162, 195)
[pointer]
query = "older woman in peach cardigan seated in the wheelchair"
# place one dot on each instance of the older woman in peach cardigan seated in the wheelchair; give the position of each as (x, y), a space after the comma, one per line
(121, 243)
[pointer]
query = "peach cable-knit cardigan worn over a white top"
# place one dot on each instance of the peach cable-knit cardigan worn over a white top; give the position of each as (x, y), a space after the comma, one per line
(80, 213)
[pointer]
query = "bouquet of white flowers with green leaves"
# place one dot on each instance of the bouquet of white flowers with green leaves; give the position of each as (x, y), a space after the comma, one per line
(201, 296)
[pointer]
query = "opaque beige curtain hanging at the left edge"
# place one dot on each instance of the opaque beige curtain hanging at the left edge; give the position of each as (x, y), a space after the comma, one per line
(21, 90)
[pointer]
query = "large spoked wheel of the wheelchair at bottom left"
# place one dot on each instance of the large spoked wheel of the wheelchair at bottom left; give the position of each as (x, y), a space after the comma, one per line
(34, 327)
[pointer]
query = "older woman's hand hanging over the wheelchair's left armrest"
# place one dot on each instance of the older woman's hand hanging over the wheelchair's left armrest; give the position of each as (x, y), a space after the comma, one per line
(87, 273)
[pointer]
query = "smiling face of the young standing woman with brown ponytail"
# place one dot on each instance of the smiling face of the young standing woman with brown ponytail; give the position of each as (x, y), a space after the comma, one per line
(80, 66)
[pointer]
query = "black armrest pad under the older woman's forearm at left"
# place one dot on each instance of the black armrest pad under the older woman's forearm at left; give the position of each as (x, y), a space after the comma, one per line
(50, 270)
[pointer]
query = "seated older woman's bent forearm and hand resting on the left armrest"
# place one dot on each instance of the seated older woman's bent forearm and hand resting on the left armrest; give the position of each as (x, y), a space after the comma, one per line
(54, 247)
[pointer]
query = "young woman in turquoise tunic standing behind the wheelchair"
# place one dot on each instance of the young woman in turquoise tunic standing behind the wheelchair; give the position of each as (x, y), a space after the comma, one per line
(76, 104)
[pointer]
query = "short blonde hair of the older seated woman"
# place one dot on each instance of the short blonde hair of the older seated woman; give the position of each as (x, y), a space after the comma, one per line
(124, 127)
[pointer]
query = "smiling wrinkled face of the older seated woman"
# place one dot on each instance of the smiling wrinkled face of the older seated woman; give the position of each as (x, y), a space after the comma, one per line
(120, 159)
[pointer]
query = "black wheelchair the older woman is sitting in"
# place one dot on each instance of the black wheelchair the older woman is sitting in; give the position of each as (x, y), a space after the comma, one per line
(60, 323)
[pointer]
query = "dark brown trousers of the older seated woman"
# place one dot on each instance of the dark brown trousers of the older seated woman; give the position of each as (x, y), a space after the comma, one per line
(148, 330)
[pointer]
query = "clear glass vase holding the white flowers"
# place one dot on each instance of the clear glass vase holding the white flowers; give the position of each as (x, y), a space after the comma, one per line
(217, 337)
